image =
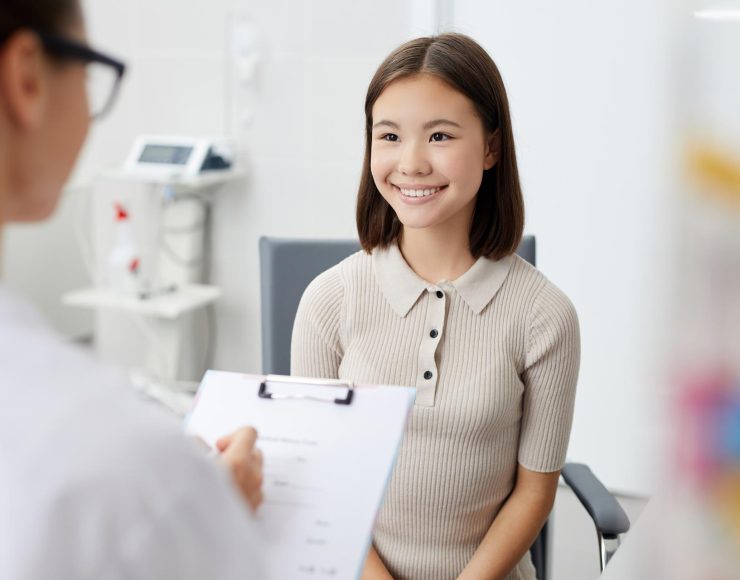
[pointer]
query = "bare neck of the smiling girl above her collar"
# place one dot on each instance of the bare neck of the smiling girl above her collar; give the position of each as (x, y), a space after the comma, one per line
(436, 255)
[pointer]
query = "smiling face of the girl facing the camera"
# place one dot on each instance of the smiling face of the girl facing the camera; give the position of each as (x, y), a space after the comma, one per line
(429, 151)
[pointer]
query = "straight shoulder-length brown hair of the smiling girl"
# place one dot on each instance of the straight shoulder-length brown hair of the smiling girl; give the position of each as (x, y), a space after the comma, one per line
(460, 62)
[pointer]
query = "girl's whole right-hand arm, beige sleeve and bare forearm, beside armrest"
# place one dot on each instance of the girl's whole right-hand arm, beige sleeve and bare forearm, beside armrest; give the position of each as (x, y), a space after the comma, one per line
(550, 375)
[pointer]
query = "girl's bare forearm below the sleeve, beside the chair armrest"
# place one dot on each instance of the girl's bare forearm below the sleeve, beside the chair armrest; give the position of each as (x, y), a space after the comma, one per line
(516, 526)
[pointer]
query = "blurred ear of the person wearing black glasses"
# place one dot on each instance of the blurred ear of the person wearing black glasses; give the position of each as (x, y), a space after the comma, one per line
(22, 80)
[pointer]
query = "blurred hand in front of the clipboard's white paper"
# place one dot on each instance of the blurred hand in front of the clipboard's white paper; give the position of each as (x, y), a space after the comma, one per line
(244, 461)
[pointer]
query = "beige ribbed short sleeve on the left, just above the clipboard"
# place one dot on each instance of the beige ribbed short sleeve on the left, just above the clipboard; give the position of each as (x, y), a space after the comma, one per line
(316, 349)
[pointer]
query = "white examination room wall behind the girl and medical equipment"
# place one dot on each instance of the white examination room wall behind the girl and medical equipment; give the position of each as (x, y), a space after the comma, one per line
(588, 88)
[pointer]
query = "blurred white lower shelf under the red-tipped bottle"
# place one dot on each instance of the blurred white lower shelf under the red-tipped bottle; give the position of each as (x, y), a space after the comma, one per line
(167, 306)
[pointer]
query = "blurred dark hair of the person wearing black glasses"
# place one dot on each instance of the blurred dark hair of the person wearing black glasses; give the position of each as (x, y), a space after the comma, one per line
(47, 16)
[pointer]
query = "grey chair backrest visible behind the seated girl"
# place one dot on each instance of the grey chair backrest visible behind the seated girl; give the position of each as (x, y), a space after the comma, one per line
(287, 266)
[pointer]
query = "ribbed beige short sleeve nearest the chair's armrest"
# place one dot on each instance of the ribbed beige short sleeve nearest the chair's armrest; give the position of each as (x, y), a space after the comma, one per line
(550, 376)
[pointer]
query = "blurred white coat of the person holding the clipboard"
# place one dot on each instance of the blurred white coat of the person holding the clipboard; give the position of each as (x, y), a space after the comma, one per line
(96, 484)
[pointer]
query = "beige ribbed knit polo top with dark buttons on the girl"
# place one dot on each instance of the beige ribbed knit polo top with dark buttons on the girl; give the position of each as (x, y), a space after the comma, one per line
(494, 357)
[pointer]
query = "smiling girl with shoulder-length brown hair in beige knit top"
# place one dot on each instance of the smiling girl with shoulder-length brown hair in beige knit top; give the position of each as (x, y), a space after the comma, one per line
(439, 300)
